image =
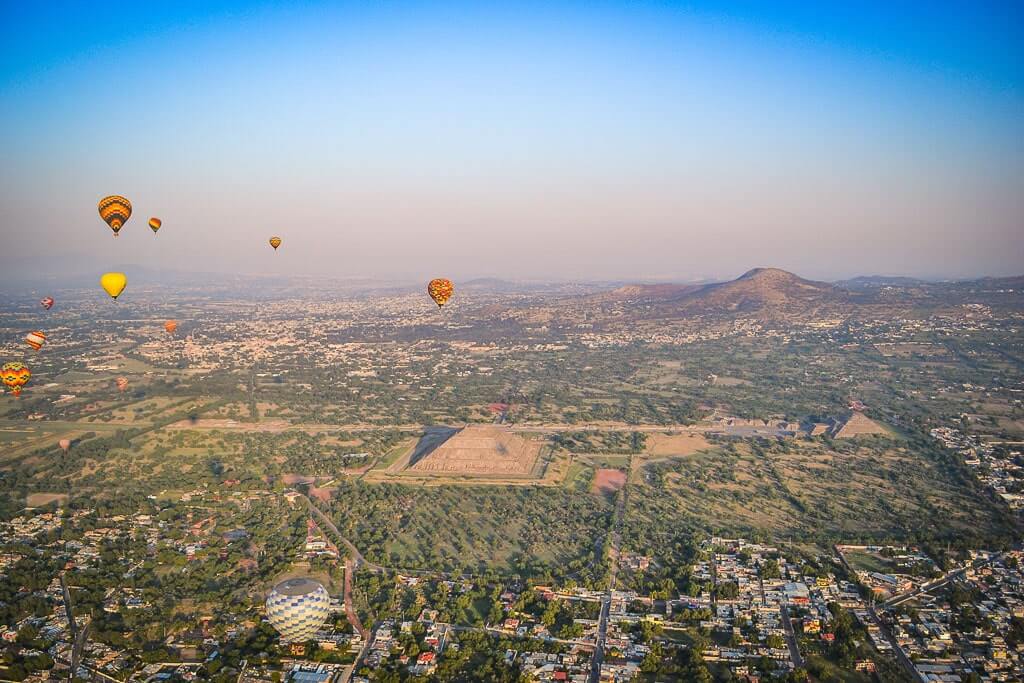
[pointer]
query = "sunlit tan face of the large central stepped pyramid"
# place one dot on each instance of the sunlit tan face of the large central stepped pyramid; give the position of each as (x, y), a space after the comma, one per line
(482, 450)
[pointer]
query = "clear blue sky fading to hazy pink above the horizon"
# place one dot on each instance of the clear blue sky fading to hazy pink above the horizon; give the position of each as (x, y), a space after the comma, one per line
(600, 141)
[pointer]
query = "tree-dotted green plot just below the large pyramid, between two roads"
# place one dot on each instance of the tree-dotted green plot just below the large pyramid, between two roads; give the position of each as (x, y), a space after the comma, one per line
(527, 531)
